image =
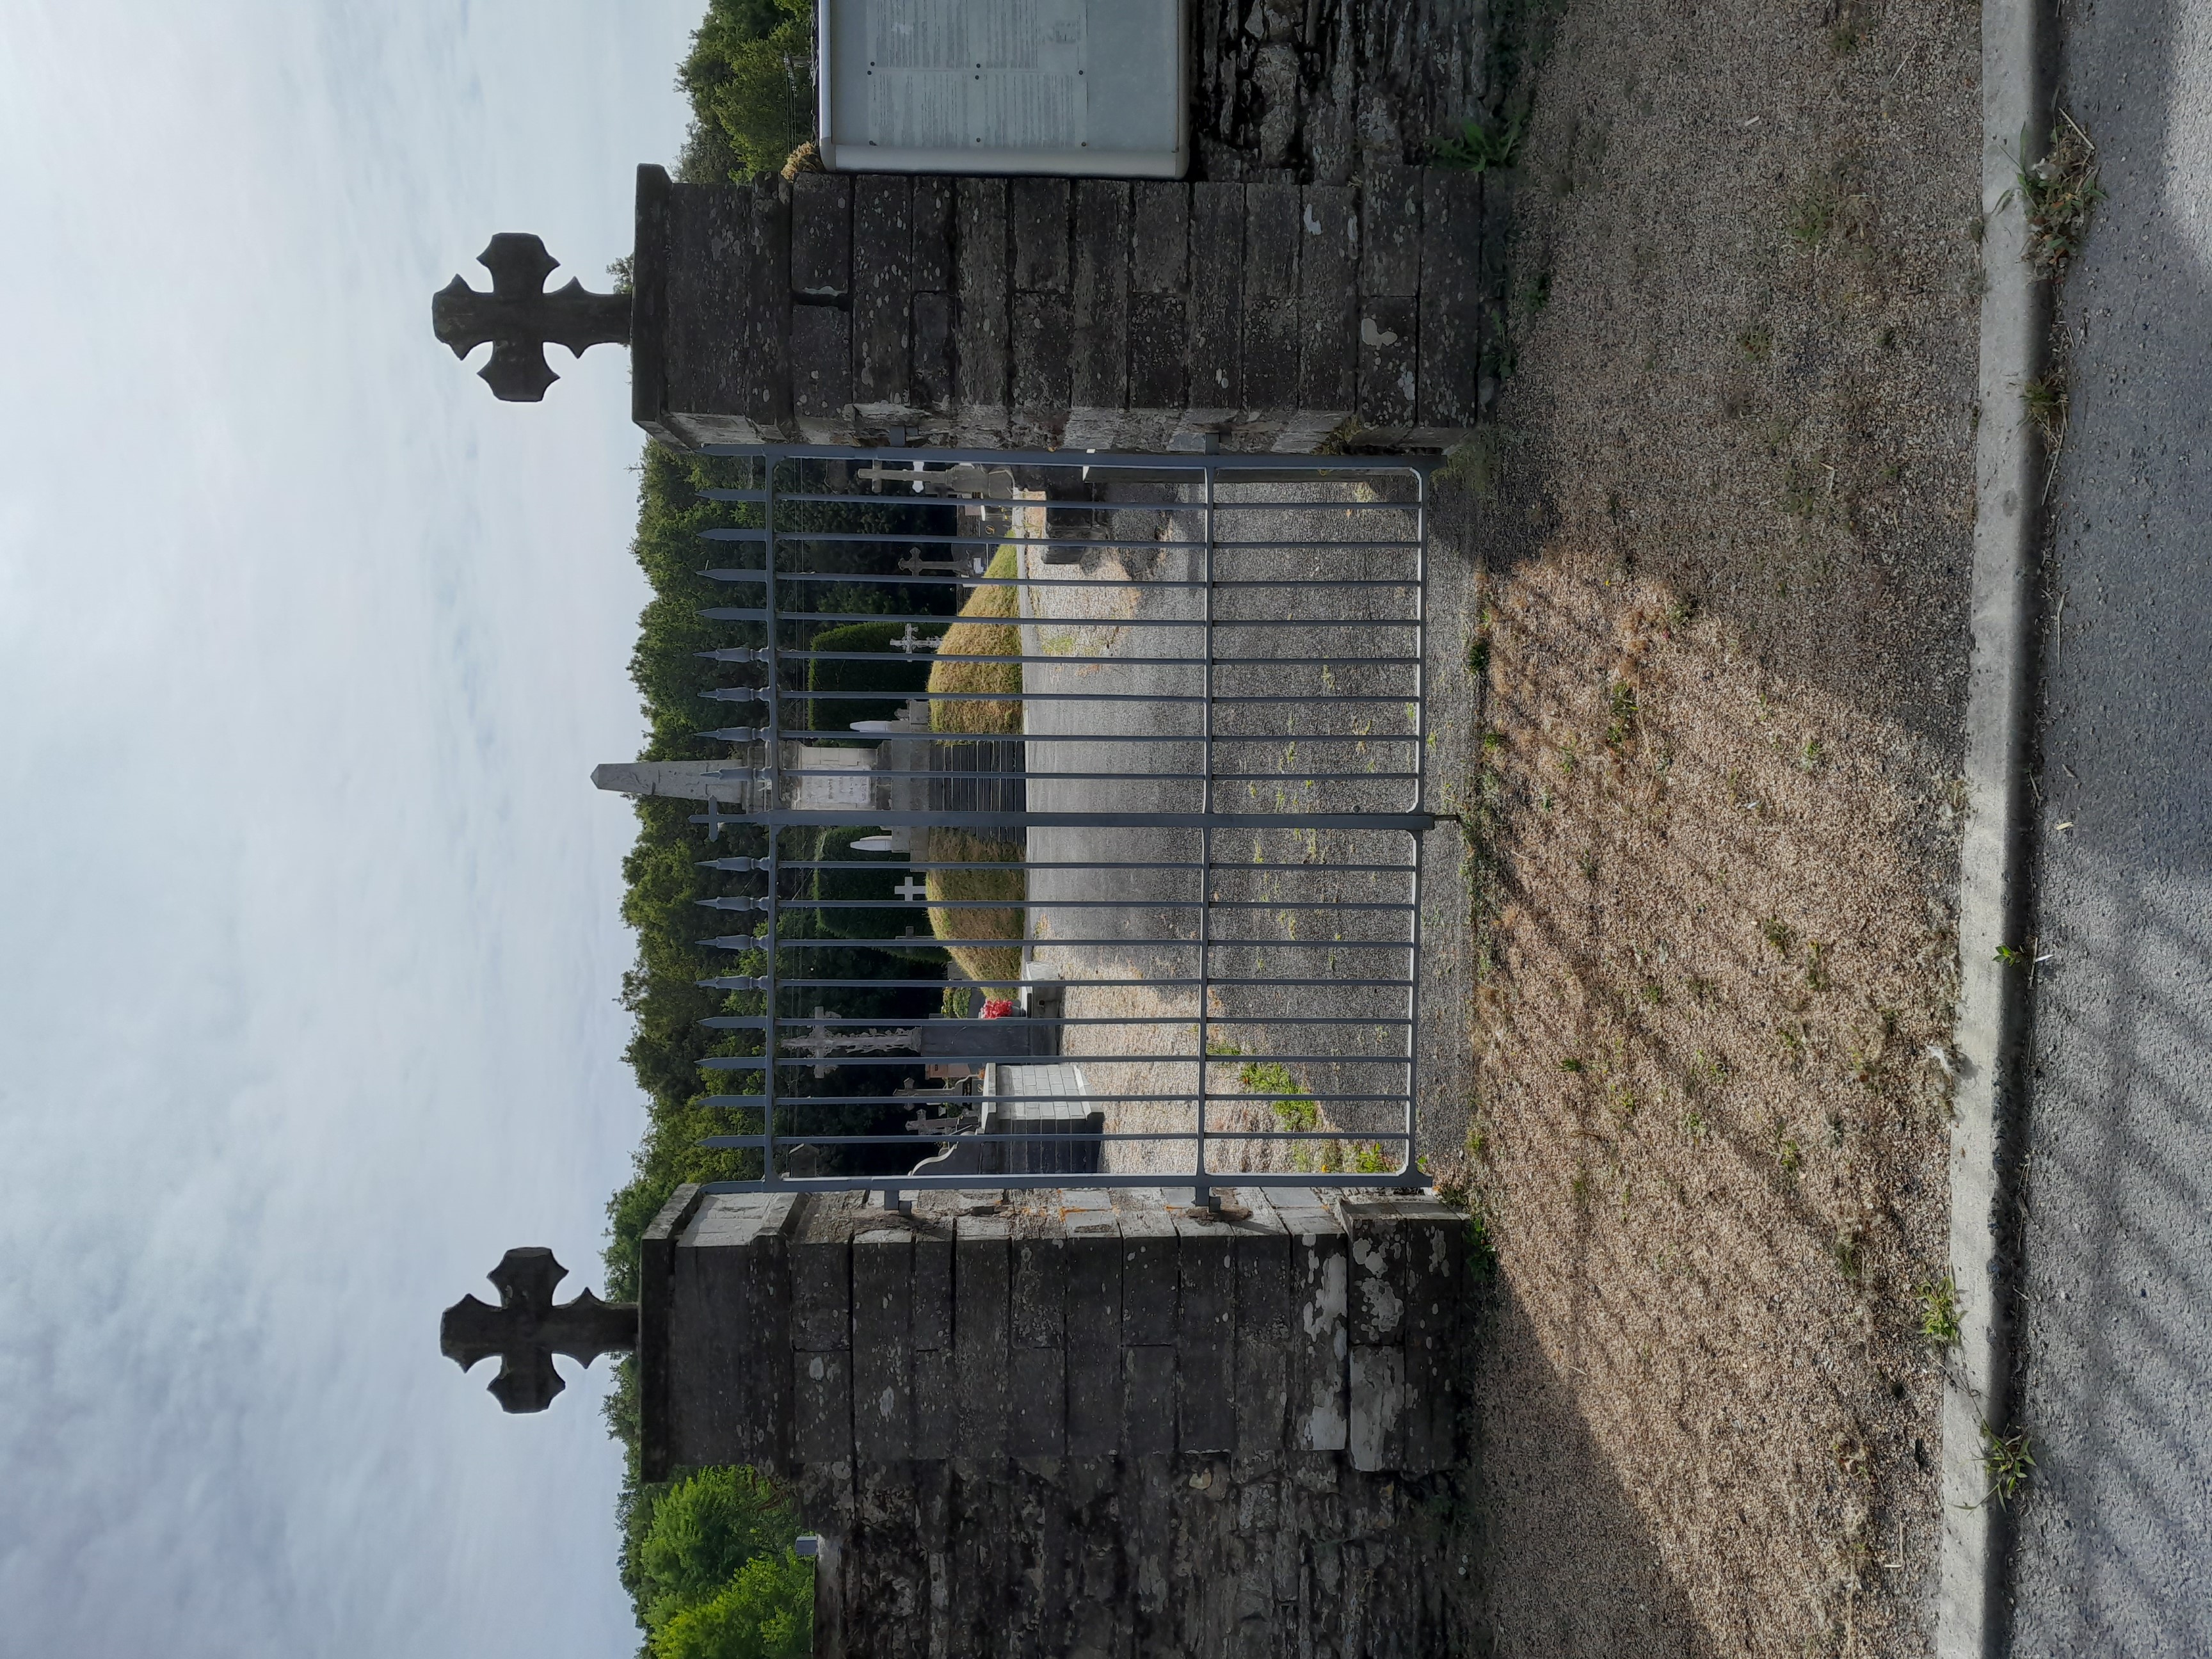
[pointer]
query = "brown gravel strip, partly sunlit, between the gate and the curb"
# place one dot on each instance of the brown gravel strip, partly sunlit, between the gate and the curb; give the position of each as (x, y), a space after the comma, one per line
(1726, 541)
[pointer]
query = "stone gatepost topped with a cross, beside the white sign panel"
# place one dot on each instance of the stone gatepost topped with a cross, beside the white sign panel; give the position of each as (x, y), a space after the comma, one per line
(1030, 313)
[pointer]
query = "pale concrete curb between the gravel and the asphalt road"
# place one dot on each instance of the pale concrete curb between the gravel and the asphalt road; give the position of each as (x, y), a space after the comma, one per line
(1994, 859)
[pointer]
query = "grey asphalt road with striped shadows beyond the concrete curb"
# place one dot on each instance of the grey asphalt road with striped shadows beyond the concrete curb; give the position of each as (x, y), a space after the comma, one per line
(2116, 1538)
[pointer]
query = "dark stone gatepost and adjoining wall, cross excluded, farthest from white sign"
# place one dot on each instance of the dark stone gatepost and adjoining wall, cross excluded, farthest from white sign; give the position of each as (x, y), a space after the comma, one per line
(1076, 1423)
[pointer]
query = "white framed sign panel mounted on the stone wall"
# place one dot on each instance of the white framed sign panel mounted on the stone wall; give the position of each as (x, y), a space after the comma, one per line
(1076, 87)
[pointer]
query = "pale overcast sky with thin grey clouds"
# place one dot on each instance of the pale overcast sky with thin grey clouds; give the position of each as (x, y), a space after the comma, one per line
(309, 908)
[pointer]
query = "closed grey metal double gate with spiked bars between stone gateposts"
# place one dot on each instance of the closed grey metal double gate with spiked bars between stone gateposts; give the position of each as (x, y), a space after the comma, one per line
(1158, 802)
